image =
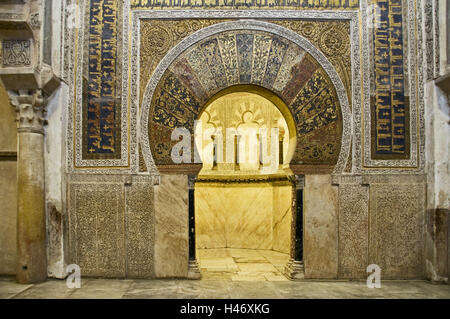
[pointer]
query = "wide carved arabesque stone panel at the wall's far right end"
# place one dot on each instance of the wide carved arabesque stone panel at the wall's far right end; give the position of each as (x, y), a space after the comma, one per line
(396, 229)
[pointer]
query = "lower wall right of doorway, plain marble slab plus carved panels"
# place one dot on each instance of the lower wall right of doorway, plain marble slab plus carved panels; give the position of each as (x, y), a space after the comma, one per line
(371, 219)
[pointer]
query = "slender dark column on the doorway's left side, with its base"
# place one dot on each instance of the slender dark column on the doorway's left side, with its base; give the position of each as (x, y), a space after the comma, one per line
(193, 270)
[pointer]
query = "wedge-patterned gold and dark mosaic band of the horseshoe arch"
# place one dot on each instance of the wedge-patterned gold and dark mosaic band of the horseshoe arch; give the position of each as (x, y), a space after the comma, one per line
(254, 58)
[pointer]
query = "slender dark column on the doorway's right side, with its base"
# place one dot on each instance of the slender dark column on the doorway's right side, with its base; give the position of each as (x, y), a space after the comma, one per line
(295, 267)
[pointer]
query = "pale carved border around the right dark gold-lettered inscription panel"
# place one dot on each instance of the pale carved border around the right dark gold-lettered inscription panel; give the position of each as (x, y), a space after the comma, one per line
(414, 57)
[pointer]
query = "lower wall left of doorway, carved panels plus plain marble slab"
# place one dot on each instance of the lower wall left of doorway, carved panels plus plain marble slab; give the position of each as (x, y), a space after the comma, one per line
(125, 226)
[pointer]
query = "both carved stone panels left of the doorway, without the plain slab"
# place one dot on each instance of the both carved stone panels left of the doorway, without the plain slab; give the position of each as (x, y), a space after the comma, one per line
(111, 225)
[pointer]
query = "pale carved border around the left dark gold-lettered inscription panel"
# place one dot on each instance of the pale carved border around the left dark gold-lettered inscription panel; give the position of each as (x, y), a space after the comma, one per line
(73, 72)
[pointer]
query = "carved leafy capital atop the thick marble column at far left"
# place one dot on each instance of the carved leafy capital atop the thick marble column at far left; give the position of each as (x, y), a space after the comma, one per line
(30, 107)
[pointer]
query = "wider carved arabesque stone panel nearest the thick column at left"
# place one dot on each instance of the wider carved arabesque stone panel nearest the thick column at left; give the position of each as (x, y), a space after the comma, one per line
(96, 219)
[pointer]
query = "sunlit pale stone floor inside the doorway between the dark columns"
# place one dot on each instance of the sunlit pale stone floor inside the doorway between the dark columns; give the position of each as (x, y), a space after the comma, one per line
(242, 264)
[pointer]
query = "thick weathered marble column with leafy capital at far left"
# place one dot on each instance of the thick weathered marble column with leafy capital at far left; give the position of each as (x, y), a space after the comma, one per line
(31, 264)
